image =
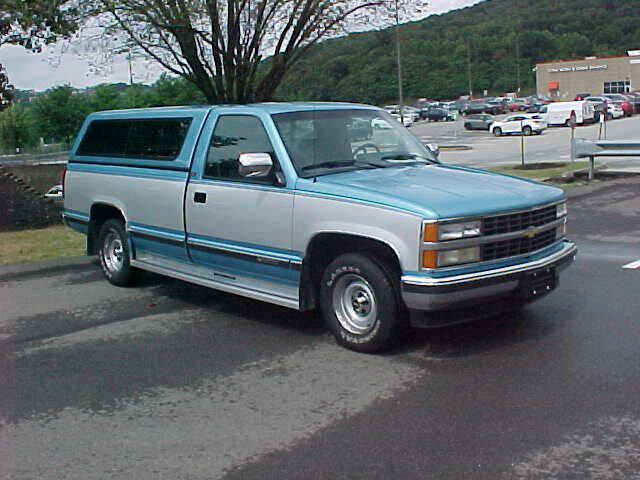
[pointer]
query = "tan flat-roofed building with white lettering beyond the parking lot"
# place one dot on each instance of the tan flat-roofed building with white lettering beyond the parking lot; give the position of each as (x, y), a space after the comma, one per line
(564, 79)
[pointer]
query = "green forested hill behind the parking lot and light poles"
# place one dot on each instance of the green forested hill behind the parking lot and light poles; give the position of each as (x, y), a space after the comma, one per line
(361, 67)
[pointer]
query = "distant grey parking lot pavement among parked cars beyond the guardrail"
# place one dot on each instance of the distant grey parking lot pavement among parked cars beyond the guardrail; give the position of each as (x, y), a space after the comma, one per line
(554, 145)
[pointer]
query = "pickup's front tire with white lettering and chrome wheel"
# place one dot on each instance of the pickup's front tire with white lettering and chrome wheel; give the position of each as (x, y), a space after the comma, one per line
(360, 304)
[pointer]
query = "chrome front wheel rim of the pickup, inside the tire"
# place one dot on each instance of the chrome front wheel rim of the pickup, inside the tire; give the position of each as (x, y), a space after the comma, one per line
(354, 304)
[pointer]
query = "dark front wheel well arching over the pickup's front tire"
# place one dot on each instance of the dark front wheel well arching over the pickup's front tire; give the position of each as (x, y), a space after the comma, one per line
(326, 247)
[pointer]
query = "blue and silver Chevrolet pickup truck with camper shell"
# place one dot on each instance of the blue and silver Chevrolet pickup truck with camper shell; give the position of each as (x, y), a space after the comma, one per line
(290, 203)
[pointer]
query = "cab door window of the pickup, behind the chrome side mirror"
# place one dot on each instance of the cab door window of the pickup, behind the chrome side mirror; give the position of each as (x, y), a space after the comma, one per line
(233, 135)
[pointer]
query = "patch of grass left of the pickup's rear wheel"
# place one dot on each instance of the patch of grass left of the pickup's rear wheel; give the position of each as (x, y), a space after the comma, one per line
(42, 244)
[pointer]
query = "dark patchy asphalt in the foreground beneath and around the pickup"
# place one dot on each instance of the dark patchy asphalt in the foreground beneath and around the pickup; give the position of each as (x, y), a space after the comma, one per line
(169, 380)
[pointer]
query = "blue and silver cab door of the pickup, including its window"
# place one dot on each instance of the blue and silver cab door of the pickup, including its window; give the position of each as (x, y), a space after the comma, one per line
(240, 228)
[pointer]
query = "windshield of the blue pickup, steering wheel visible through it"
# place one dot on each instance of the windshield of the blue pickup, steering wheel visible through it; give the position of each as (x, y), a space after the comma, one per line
(320, 142)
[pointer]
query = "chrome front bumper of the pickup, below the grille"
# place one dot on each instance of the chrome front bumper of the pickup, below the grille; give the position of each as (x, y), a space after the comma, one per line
(445, 293)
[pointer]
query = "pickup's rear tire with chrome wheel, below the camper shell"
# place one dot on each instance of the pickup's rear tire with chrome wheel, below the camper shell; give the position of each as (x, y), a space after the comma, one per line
(115, 254)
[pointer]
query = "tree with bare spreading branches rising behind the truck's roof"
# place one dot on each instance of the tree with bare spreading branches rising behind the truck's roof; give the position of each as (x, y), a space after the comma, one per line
(221, 45)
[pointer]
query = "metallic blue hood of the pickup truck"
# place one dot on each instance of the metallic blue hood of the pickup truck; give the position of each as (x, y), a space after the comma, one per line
(436, 191)
